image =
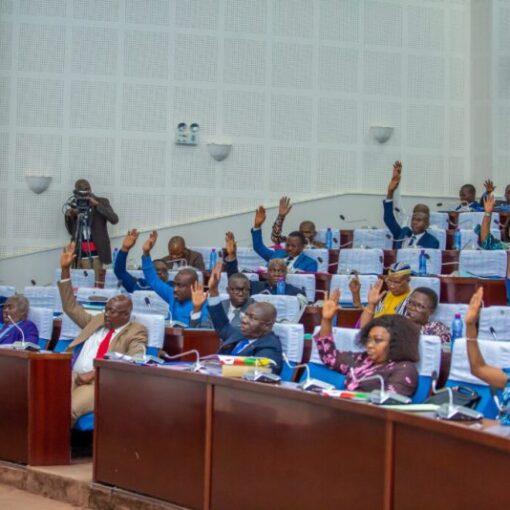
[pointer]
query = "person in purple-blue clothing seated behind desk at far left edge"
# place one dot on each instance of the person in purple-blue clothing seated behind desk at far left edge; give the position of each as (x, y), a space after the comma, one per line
(16, 327)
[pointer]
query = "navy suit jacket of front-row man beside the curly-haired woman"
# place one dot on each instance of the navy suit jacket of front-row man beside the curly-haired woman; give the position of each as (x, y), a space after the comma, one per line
(267, 346)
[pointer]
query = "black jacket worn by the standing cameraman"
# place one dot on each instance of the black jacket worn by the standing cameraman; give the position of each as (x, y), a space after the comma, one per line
(102, 213)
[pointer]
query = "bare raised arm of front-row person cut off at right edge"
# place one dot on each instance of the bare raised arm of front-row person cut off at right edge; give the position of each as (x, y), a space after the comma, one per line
(491, 375)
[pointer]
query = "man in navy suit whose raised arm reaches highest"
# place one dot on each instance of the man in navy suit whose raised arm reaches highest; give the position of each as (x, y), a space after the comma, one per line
(407, 237)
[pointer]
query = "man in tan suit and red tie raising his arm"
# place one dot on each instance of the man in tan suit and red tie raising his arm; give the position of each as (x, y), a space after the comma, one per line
(111, 331)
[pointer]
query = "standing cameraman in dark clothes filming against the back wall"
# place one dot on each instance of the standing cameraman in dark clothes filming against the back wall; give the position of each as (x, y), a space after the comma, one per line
(97, 211)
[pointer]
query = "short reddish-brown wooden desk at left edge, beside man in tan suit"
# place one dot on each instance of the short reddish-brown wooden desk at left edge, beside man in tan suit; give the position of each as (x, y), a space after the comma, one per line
(35, 407)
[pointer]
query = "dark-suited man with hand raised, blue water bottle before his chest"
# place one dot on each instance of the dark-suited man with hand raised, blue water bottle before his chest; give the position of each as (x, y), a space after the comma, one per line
(276, 270)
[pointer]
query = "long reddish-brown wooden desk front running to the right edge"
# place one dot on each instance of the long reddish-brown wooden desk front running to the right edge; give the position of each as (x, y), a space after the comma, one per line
(210, 442)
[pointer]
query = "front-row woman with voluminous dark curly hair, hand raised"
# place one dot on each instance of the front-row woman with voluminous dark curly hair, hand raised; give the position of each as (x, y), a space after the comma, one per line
(391, 344)
